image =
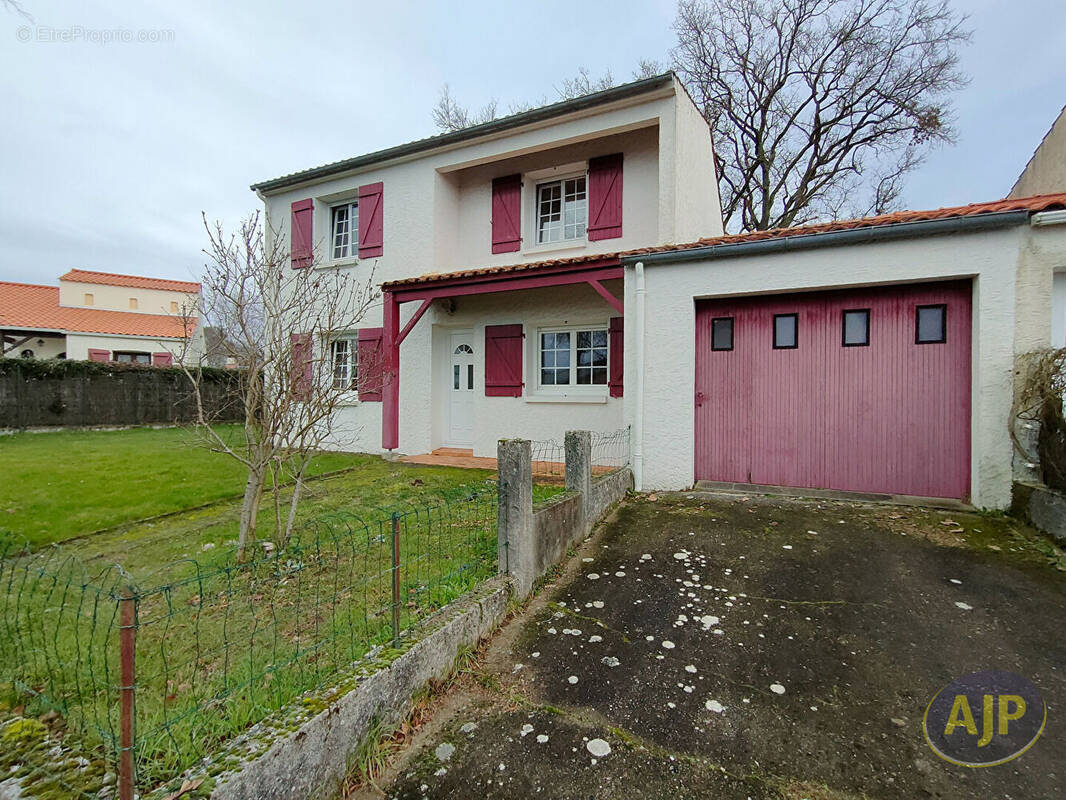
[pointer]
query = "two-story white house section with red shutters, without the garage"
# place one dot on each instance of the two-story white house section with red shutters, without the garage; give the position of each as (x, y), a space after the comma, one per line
(521, 222)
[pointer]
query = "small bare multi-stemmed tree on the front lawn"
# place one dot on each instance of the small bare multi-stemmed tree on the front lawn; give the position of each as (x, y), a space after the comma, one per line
(280, 324)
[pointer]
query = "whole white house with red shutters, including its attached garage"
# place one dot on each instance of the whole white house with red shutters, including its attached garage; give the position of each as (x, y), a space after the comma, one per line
(566, 268)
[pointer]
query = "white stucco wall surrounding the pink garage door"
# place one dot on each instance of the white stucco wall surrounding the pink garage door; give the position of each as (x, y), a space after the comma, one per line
(1012, 271)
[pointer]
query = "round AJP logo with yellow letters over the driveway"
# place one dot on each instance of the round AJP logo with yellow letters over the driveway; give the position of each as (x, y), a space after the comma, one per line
(984, 719)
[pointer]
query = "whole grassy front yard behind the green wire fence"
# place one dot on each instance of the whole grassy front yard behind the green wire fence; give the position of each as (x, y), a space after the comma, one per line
(219, 646)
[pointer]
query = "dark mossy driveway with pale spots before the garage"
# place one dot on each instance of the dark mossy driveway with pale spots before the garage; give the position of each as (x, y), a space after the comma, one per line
(756, 649)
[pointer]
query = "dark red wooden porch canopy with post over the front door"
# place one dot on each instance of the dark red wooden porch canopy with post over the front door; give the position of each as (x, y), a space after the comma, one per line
(592, 270)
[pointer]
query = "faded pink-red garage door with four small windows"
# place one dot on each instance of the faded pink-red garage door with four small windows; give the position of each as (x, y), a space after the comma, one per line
(864, 391)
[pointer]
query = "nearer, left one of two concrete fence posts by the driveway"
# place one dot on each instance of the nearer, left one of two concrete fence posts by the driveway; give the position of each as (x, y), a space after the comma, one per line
(514, 460)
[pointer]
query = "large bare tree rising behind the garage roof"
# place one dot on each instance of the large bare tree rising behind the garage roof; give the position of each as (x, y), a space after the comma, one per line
(819, 108)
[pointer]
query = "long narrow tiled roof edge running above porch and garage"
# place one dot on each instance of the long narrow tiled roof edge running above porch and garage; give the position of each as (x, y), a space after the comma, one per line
(1032, 205)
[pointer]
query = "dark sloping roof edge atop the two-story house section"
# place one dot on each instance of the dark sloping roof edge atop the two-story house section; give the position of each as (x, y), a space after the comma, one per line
(495, 126)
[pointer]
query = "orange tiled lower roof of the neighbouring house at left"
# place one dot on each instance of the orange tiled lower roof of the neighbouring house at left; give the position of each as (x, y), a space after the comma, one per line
(27, 307)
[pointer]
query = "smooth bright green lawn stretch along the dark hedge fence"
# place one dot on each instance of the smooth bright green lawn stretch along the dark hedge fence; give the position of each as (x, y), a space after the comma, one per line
(58, 486)
